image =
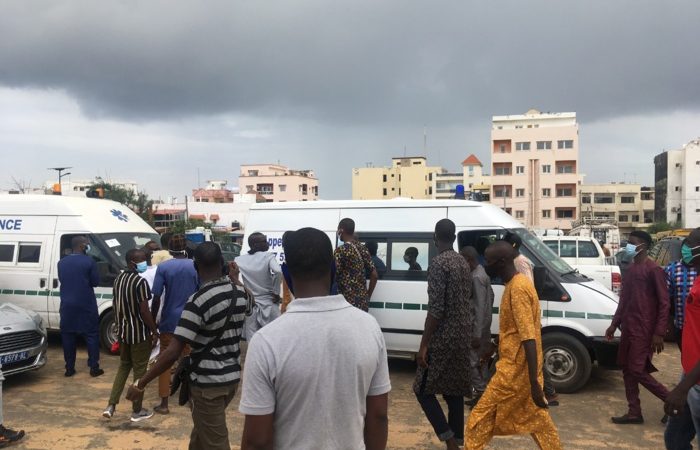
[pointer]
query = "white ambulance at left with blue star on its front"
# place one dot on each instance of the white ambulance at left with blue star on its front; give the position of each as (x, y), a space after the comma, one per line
(36, 232)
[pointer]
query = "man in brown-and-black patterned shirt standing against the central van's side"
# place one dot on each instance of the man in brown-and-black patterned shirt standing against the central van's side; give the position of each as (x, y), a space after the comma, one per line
(352, 261)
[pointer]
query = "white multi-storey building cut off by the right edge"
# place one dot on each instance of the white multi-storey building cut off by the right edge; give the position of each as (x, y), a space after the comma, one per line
(677, 185)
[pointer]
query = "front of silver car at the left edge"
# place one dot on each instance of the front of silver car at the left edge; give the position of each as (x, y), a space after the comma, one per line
(23, 340)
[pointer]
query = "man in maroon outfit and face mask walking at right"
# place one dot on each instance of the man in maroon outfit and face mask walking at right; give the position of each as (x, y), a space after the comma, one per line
(642, 315)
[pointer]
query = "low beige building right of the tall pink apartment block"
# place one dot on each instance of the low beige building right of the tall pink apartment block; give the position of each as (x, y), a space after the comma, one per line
(630, 206)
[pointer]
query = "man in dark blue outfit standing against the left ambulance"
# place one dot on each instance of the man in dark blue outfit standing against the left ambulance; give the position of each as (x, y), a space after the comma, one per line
(78, 275)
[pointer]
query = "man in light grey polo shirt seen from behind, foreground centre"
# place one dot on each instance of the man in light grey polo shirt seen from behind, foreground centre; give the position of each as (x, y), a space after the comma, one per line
(317, 377)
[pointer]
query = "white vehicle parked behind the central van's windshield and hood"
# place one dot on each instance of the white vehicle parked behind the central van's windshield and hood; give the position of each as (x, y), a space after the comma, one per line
(586, 255)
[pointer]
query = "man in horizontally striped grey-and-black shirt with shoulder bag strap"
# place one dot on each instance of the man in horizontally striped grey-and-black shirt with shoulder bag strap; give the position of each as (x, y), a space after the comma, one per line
(213, 381)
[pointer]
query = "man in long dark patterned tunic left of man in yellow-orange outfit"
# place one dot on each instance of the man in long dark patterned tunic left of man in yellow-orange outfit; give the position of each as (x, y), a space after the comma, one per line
(443, 355)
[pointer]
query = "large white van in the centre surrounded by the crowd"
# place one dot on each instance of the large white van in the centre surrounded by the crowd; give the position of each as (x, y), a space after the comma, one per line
(576, 310)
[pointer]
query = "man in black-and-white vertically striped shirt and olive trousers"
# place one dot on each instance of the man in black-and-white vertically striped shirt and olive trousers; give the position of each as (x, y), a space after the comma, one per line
(135, 327)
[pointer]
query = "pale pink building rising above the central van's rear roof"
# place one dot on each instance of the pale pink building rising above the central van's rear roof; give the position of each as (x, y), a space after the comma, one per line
(278, 183)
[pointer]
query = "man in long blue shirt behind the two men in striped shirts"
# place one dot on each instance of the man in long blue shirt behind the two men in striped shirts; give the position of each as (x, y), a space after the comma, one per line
(178, 278)
